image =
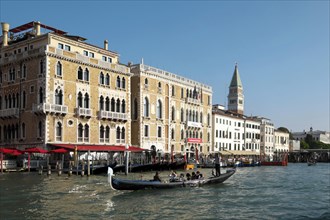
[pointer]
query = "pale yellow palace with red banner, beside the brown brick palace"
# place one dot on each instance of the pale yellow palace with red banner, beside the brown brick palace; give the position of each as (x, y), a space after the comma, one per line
(170, 113)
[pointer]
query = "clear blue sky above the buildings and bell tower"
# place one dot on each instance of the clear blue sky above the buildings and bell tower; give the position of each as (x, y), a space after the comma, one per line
(282, 47)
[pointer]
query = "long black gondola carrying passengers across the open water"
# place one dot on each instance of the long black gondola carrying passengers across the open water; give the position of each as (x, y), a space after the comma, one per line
(121, 184)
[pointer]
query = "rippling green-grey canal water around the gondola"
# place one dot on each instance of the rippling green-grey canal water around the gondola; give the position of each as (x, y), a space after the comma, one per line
(297, 191)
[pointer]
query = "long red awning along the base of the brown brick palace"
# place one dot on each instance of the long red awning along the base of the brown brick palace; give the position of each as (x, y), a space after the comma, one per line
(98, 147)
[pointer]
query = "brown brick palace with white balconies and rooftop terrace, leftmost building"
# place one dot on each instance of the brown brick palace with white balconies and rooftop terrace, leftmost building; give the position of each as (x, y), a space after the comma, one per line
(57, 89)
